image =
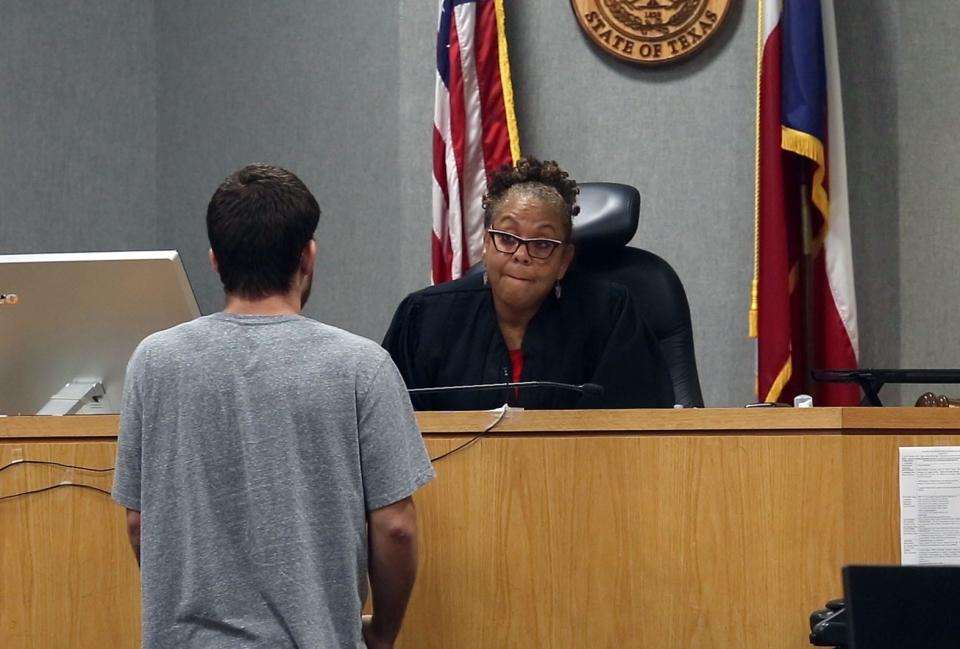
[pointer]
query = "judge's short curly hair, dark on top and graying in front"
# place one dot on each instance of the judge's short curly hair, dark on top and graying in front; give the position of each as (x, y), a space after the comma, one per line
(533, 179)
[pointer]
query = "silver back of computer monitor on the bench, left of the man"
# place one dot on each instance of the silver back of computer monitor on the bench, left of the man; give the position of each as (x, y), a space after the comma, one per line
(69, 322)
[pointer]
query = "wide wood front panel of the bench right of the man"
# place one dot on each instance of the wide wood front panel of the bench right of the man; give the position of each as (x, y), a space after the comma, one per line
(628, 541)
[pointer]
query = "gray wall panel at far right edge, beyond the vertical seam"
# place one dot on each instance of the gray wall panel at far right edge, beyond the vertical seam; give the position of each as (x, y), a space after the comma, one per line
(929, 188)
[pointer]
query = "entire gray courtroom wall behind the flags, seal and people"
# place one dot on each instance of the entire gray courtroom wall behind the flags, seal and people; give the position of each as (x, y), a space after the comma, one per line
(122, 117)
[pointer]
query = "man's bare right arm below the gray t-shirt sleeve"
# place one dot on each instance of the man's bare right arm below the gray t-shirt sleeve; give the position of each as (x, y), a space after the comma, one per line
(392, 538)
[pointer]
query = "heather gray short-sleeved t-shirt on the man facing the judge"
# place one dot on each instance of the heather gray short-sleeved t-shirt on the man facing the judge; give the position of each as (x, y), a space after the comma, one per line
(254, 446)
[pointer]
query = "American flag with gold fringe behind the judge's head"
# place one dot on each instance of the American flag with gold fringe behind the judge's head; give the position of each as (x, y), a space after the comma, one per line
(474, 128)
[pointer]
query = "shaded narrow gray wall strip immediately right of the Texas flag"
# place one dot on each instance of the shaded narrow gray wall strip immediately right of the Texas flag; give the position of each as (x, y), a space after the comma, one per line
(868, 44)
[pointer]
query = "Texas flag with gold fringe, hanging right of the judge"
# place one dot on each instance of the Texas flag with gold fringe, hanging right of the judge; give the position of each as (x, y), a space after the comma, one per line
(803, 320)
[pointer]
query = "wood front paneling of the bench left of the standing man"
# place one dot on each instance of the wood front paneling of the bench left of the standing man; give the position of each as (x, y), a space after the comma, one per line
(69, 579)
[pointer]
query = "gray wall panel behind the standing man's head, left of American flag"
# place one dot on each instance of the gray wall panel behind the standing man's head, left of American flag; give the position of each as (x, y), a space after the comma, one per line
(310, 86)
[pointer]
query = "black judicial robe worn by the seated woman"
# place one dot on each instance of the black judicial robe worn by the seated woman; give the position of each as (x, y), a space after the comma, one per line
(448, 335)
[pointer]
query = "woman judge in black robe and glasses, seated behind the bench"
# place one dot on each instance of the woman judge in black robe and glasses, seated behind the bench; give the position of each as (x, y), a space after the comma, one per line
(524, 318)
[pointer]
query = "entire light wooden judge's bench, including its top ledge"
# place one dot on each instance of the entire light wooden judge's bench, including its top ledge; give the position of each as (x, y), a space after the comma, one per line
(689, 529)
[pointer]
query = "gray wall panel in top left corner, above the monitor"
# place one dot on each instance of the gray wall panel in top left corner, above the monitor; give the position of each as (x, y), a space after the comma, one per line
(77, 126)
